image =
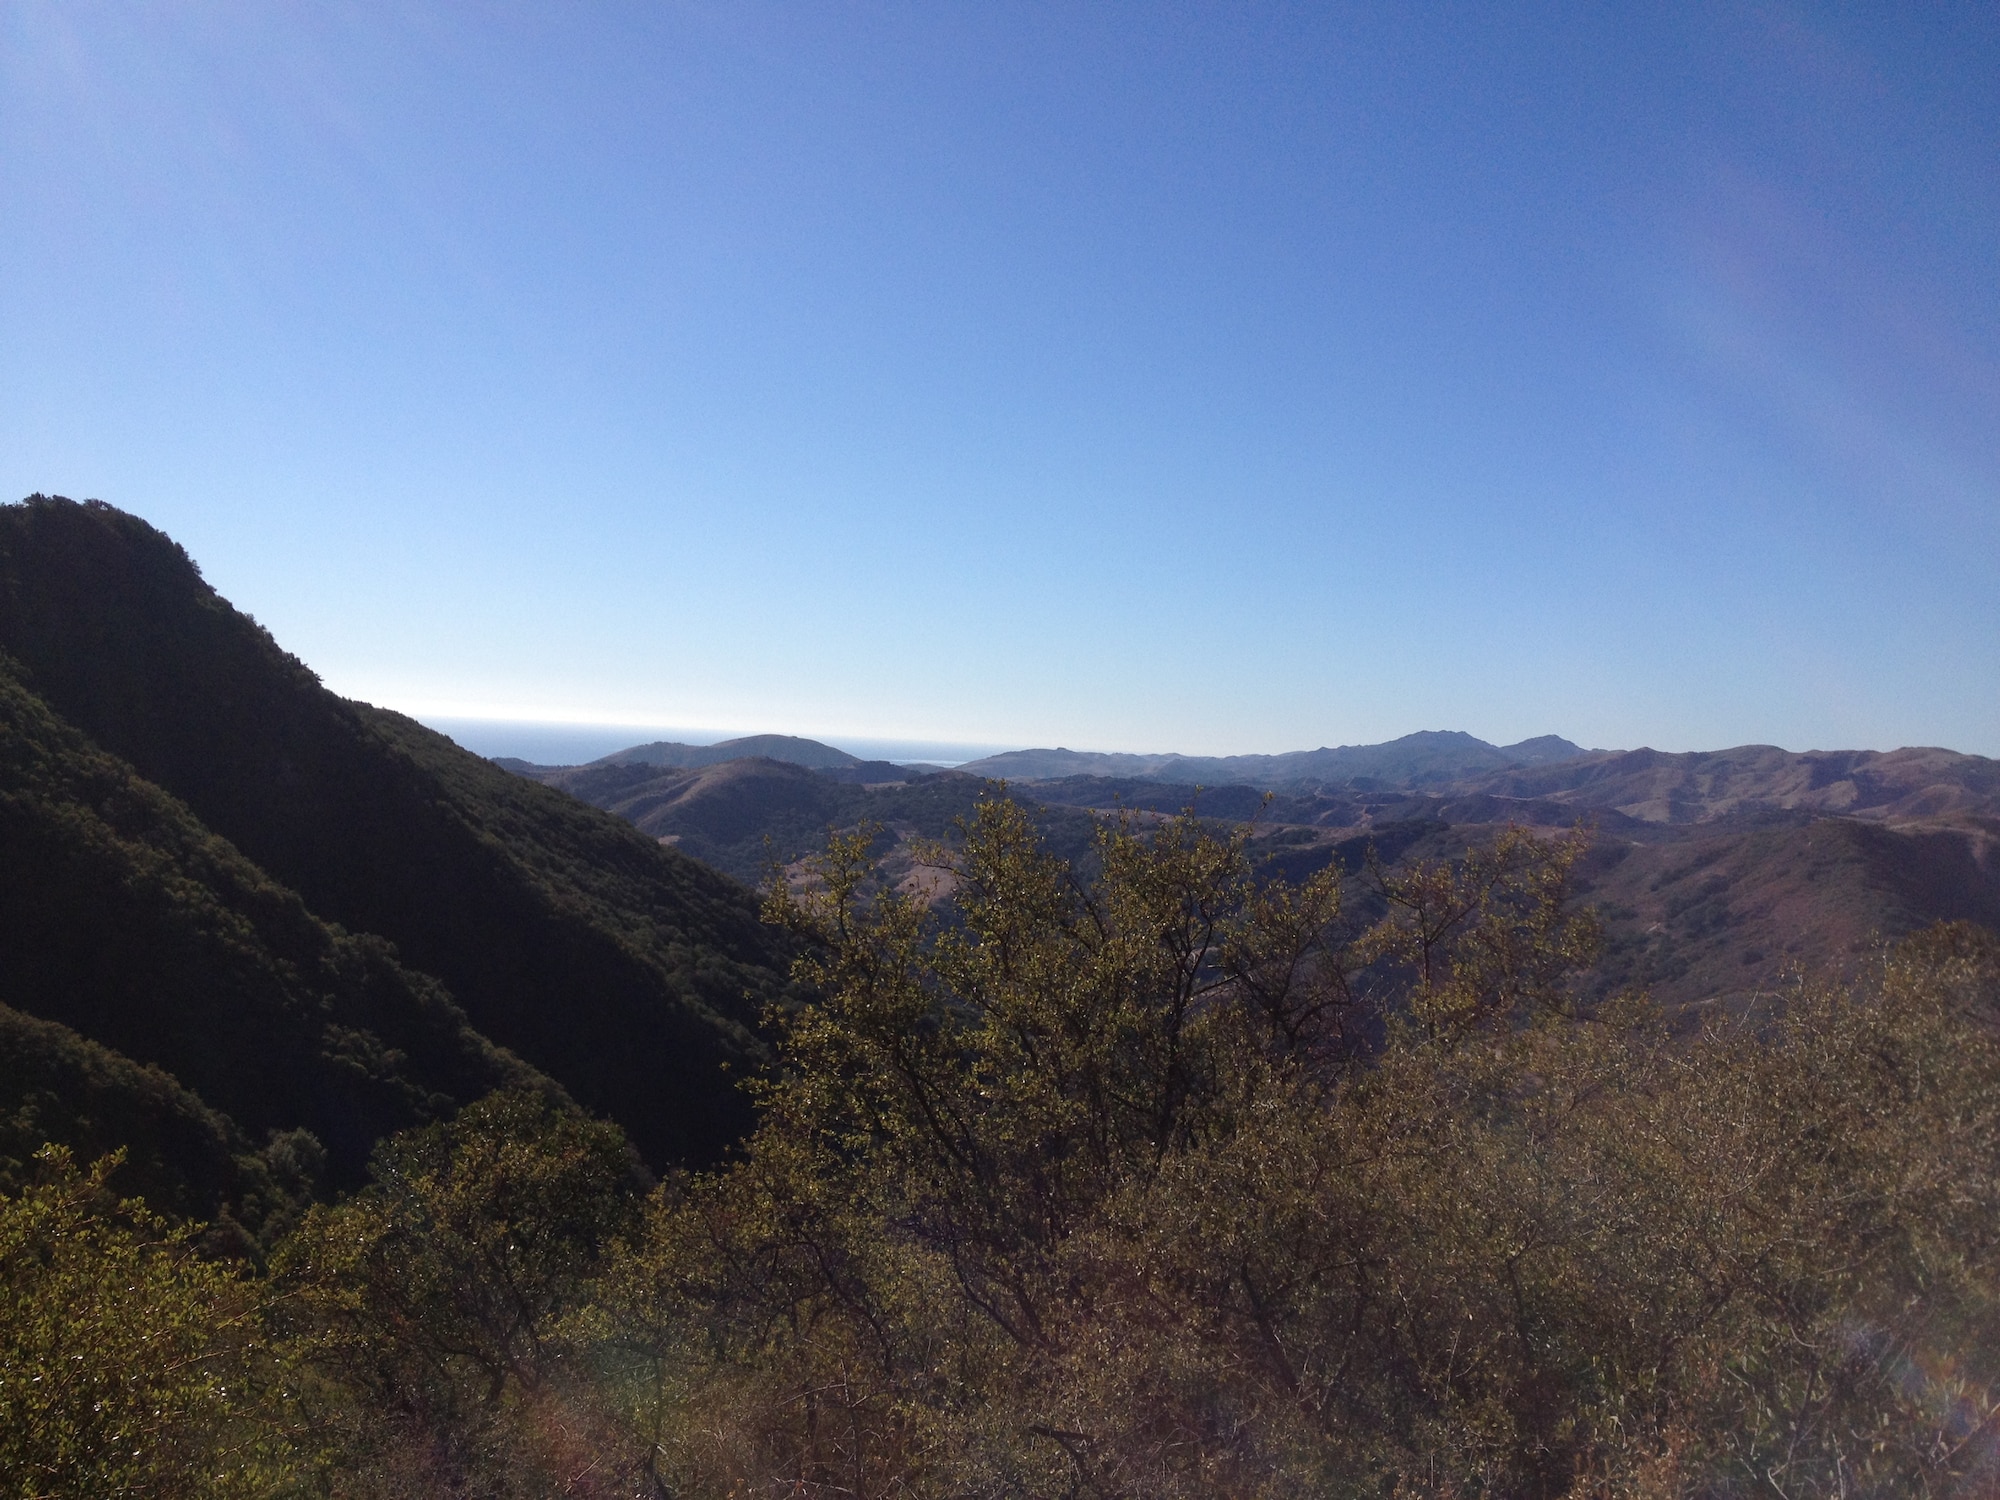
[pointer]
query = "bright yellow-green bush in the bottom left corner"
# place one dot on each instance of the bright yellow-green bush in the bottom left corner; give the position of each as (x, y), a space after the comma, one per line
(129, 1367)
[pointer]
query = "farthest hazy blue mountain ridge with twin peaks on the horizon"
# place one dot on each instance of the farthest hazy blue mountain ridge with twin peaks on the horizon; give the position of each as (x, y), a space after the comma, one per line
(1425, 759)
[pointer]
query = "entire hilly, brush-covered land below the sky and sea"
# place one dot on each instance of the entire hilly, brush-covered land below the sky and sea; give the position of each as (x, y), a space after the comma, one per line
(387, 1107)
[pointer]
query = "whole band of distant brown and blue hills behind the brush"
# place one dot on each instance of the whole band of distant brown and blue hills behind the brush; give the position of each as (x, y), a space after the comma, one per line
(1717, 871)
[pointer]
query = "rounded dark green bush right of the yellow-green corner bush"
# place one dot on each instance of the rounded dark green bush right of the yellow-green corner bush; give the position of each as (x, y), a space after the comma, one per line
(427, 1313)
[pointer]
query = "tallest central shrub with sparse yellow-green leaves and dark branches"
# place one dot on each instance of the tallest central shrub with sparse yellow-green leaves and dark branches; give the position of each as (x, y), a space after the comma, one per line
(1057, 1037)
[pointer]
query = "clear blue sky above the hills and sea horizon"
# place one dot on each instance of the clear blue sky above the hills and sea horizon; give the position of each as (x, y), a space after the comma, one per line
(1211, 379)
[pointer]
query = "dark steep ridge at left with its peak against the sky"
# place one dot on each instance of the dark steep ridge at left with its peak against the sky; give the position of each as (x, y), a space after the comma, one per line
(613, 965)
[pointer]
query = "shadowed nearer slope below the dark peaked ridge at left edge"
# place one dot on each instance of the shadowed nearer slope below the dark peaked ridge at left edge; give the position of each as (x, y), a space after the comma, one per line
(131, 923)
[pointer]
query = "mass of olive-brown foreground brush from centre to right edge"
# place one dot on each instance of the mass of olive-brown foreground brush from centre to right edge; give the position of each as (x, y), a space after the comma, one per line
(1159, 1185)
